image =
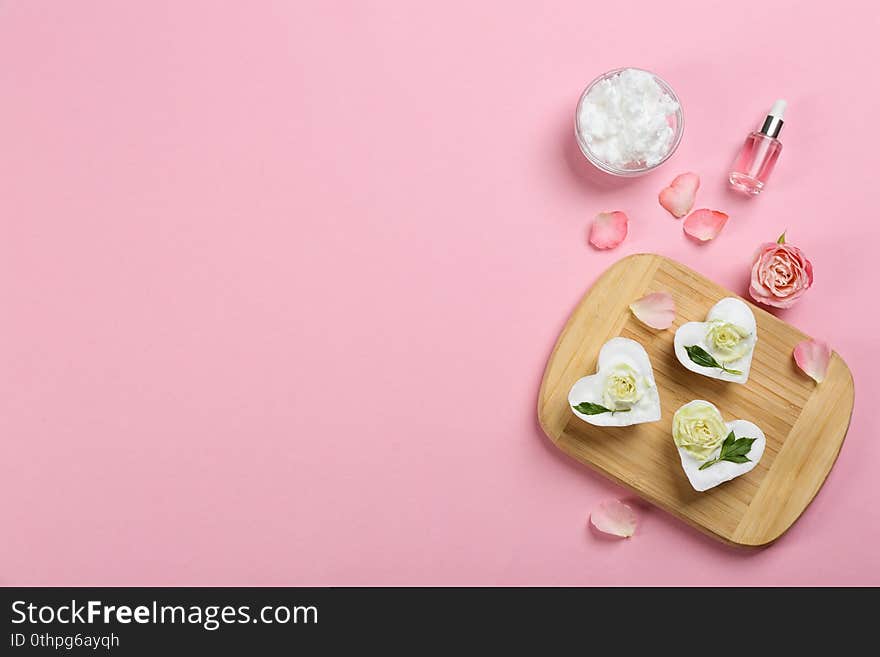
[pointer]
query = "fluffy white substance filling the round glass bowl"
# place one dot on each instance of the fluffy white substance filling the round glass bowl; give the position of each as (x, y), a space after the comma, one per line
(623, 120)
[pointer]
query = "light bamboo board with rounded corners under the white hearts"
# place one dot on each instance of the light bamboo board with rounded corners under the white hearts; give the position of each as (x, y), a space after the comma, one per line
(805, 423)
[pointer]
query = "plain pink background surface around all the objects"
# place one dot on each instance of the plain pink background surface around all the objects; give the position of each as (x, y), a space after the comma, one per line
(278, 281)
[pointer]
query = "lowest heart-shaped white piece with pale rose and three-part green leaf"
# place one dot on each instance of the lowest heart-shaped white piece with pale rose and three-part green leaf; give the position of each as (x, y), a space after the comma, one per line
(713, 451)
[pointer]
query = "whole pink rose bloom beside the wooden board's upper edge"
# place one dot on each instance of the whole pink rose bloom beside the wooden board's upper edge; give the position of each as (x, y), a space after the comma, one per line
(781, 274)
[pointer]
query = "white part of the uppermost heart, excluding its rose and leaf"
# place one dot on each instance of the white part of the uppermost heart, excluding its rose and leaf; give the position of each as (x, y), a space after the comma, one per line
(729, 310)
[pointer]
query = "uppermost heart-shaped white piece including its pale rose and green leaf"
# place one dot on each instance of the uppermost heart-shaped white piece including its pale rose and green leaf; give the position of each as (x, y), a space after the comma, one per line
(722, 346)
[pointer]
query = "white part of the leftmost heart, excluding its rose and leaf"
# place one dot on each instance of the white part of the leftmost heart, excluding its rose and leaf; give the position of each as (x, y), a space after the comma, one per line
(616, 356)
